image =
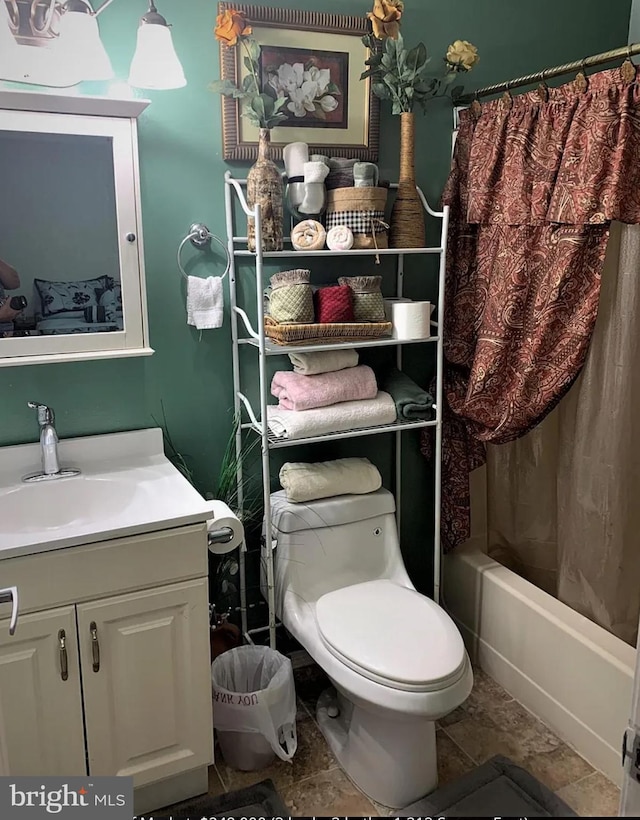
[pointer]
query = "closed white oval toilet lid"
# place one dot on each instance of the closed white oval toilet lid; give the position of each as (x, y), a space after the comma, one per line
(392, 635)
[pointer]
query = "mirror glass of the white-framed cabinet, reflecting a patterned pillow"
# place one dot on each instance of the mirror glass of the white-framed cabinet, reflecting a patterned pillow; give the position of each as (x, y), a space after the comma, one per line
(59, 257)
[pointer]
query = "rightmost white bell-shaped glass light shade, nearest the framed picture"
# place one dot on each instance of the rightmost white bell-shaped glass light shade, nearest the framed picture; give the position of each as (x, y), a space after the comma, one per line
(155, 64)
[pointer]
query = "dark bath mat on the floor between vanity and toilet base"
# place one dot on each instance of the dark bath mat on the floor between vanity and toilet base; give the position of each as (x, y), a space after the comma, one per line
(260, 800)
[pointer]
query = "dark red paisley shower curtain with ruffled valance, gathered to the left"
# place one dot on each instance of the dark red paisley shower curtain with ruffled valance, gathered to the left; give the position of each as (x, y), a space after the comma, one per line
(534, 186)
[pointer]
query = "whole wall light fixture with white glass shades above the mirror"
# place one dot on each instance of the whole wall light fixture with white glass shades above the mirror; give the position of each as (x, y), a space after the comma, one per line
(68, 48)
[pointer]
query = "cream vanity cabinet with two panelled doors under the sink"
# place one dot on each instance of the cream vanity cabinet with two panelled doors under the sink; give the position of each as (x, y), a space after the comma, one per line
(109, 671)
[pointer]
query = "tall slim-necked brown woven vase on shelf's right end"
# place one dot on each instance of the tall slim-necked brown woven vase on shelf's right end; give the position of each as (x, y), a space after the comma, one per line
(406, 226)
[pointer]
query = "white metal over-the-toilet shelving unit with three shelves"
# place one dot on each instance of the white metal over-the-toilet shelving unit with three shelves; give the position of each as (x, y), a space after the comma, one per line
(256, 418)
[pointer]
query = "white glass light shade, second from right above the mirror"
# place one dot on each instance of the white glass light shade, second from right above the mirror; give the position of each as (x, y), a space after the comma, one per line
(79, 44)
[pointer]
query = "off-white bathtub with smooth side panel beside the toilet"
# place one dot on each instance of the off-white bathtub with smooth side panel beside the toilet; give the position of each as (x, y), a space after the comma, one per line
(574, 675)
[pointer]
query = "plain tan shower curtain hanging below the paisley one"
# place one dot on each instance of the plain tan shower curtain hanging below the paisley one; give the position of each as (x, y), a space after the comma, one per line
(564, 500)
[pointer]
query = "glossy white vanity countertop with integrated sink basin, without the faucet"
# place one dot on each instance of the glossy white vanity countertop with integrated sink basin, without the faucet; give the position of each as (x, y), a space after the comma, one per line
(127, 486)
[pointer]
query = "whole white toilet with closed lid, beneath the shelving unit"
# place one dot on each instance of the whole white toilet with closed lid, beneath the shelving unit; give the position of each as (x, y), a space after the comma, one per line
(396, 659)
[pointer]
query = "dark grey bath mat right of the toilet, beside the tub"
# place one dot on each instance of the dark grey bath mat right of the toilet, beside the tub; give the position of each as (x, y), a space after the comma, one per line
(497, 788)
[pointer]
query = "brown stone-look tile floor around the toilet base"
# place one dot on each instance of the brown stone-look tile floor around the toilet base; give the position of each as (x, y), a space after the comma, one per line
(490, 722)
